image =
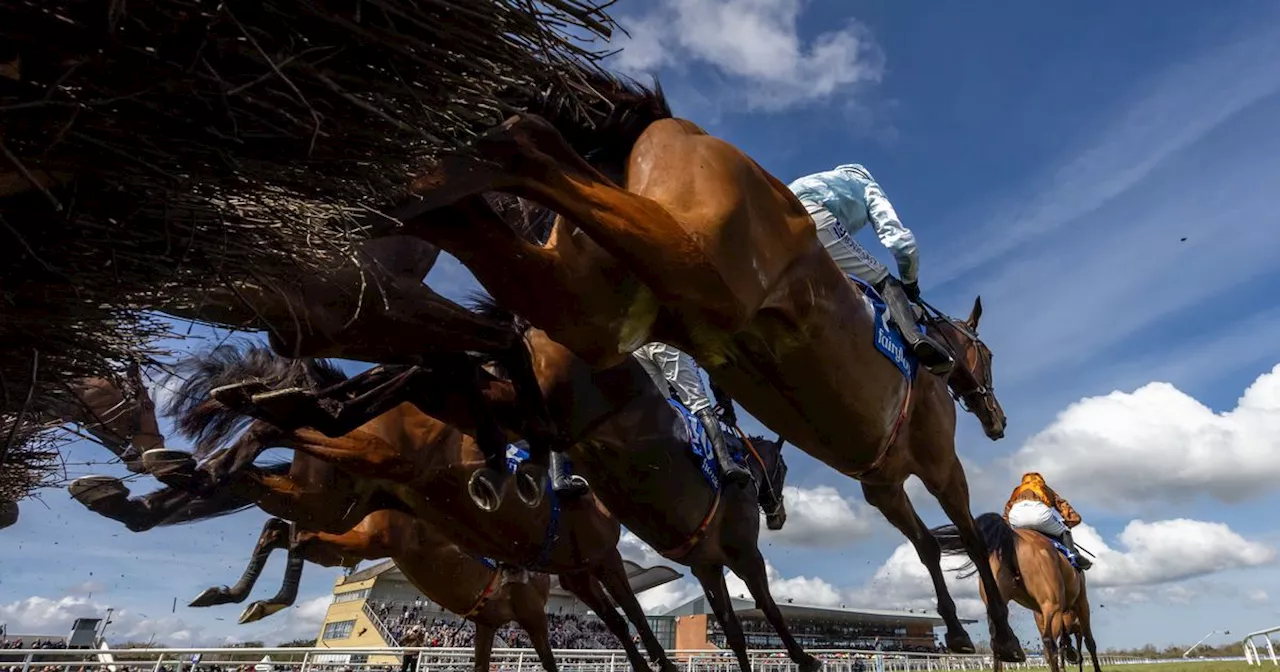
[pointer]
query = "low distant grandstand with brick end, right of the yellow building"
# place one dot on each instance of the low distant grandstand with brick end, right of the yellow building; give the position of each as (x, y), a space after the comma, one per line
(816, 628)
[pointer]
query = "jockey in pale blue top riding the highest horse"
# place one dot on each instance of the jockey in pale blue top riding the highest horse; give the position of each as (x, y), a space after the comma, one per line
(842, 202)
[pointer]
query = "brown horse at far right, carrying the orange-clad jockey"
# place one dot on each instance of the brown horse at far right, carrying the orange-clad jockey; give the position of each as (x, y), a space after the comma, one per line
(1032, 573)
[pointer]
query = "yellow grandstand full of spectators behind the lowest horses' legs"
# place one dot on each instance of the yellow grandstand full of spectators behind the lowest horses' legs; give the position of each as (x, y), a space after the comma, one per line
(374, 606)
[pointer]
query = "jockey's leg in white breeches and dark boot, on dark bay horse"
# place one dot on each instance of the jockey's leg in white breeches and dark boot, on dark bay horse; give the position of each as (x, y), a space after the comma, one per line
(673, 369)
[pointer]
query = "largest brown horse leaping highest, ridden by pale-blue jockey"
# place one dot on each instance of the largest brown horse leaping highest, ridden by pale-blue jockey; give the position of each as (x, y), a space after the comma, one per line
(702, 249)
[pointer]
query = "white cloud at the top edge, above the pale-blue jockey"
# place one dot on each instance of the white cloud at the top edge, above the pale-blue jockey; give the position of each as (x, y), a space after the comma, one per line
(757, 45)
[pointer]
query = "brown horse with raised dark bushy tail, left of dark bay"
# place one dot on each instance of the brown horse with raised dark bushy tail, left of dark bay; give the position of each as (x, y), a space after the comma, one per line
(428, 465)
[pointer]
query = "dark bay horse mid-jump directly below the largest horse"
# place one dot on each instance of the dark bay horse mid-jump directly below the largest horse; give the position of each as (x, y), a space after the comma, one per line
(633, 445)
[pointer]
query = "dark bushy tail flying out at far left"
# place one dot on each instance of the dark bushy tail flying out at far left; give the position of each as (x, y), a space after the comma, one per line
(207, 422)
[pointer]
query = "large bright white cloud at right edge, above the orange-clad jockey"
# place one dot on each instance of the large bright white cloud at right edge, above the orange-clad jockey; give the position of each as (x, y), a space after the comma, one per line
(1098, 447)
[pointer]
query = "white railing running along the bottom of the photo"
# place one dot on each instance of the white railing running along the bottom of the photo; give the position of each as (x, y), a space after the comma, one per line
(432, 660)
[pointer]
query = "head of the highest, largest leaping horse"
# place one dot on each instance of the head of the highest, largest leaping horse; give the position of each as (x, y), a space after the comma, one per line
(972, 380)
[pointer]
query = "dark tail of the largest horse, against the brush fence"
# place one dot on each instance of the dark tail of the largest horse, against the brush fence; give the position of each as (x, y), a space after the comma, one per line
(604, 120)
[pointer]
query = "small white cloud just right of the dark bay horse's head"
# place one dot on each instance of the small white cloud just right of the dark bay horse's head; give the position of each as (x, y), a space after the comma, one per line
(821, 518)
